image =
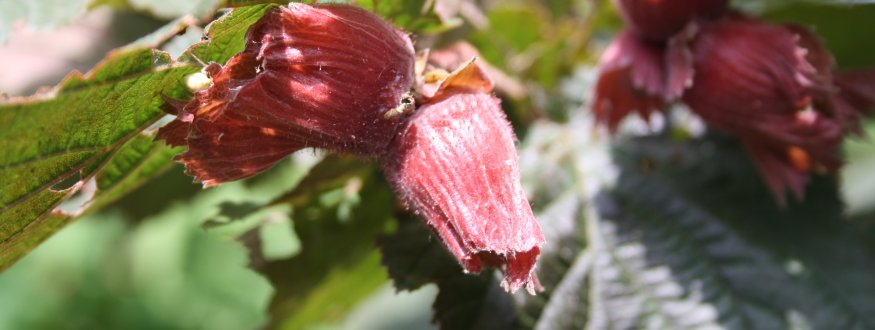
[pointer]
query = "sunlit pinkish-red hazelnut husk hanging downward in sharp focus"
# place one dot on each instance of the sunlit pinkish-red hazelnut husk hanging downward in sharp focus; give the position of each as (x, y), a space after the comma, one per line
(454, 163)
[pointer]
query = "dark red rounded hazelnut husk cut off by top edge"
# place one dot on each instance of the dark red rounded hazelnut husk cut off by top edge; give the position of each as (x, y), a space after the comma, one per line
(659, 20)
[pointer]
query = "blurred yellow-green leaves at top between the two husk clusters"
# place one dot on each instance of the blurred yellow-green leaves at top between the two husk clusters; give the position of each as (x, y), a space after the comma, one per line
(537, 44)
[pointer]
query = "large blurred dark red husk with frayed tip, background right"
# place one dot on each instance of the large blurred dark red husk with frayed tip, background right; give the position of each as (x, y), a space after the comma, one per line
(771, 86)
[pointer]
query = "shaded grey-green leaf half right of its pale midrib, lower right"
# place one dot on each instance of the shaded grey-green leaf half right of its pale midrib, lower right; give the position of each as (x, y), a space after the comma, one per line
(671, 239)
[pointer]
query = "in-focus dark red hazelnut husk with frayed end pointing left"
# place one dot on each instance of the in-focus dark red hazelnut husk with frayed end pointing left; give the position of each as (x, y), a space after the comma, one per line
(311, 76)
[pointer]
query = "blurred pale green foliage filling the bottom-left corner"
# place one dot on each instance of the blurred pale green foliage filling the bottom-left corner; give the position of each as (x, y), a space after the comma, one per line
(162, 272)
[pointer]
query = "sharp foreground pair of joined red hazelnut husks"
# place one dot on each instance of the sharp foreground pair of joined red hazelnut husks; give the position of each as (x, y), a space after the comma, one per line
(340, 78)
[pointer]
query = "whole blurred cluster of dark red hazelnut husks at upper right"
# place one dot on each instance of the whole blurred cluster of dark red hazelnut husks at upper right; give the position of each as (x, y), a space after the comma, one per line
(773, 86)
